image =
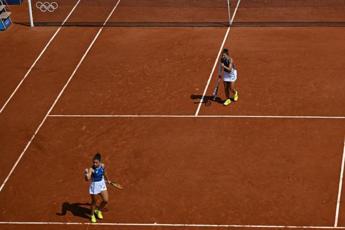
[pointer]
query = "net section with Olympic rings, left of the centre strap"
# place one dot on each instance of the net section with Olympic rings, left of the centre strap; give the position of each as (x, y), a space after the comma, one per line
(132, 13)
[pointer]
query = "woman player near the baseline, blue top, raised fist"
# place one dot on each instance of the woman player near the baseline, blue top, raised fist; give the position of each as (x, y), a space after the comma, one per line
(98, 188)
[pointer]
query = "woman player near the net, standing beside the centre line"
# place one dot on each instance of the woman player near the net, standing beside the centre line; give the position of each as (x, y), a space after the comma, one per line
(229, 72)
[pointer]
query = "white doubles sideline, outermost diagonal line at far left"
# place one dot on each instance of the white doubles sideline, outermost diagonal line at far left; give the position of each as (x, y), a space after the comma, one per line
(39, 57)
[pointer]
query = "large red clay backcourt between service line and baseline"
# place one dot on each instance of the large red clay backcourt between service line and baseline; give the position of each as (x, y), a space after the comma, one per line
(184, 171)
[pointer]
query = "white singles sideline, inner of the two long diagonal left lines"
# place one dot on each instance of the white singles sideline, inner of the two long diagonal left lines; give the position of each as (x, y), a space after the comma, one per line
(58, 97)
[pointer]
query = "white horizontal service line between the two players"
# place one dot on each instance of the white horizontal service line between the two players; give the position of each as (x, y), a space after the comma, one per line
(193, 116)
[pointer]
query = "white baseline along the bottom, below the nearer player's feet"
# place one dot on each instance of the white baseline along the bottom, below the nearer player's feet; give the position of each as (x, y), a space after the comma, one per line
(172, 225)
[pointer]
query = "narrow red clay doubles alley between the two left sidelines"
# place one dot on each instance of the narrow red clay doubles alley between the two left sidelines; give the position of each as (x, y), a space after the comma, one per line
(38, 92)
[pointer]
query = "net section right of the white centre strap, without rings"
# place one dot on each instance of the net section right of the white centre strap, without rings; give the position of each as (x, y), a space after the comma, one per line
(291, 13)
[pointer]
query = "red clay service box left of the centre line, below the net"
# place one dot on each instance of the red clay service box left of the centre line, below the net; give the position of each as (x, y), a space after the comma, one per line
(117, 78)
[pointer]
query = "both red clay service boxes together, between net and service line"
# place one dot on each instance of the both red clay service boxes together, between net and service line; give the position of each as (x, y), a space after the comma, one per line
(296, 73)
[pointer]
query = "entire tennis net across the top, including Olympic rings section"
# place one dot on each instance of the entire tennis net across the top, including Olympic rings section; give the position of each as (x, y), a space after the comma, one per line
(190, 13)
